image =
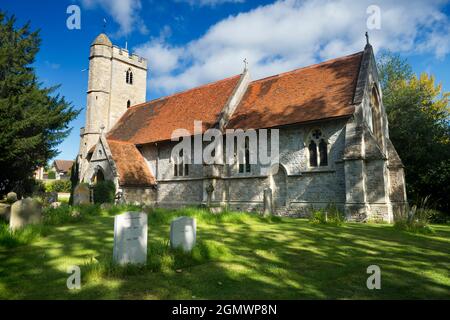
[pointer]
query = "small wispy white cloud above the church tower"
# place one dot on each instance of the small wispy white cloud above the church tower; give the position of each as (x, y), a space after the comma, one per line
(124, 12)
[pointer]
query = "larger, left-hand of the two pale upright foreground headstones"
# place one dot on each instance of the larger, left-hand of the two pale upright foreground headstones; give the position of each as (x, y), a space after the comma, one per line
(130, 238)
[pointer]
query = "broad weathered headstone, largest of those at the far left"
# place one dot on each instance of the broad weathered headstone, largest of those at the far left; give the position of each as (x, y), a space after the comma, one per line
(25, 212)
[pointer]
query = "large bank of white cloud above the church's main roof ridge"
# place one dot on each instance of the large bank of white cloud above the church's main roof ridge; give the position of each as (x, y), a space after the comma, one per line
(290, 34)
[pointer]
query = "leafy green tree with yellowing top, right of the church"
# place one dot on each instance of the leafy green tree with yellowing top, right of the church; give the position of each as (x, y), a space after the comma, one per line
(418, 112)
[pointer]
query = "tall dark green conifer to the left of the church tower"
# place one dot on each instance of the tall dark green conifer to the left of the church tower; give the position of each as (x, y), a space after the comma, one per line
(33, 119)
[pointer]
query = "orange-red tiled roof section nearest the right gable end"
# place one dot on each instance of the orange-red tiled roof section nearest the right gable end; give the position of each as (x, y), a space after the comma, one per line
(316, 92)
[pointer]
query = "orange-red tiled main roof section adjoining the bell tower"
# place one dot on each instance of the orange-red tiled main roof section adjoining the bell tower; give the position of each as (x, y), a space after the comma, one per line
(156, 120)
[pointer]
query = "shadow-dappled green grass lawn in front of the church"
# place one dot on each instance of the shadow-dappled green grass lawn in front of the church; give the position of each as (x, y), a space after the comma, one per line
(239, 256)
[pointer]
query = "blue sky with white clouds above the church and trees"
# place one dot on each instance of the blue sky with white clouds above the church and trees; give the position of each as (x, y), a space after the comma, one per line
(190, 42)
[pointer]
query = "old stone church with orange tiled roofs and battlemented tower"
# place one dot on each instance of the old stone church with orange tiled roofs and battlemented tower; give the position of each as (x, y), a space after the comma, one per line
(333, 137)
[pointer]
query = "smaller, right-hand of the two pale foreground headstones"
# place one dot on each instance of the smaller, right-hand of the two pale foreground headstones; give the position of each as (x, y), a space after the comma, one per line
(183, 233)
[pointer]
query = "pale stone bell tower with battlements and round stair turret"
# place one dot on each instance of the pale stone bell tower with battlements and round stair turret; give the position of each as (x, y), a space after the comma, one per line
(117, 81)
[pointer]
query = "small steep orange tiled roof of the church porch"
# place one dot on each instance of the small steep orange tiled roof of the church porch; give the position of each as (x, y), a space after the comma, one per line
(131, 166)
